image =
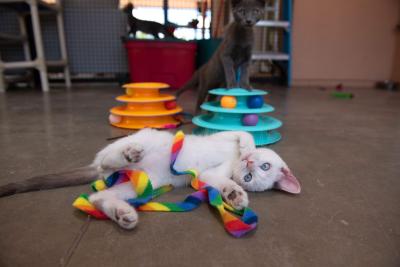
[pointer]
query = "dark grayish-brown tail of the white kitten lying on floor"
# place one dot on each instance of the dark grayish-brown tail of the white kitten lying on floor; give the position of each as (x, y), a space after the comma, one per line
(74, 177)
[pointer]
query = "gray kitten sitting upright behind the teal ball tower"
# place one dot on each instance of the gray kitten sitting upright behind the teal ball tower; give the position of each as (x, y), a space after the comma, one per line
(232, 56)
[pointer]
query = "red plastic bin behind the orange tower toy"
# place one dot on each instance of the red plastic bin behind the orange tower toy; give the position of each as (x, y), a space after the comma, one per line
(171, 62)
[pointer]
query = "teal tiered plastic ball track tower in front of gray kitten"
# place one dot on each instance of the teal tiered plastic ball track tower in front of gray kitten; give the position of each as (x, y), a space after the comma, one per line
(231, 119)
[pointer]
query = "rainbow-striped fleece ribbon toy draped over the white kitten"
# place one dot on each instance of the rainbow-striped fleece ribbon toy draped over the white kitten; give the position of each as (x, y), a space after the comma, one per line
(245, 220)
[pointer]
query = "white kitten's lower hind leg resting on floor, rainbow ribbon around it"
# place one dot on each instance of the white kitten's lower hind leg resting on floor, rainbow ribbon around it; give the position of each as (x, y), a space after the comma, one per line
(112, 202)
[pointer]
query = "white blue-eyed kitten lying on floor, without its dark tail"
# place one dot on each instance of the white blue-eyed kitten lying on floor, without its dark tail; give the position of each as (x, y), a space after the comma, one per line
(228, 161)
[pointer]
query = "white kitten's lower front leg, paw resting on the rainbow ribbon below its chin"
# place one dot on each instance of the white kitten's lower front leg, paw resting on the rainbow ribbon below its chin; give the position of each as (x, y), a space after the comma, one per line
(219, 178)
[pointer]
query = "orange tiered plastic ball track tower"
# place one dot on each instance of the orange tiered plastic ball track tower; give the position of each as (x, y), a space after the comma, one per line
(145, 107)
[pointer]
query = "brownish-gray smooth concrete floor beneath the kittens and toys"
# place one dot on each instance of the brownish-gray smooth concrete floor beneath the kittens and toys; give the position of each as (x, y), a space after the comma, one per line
(346, 153)
